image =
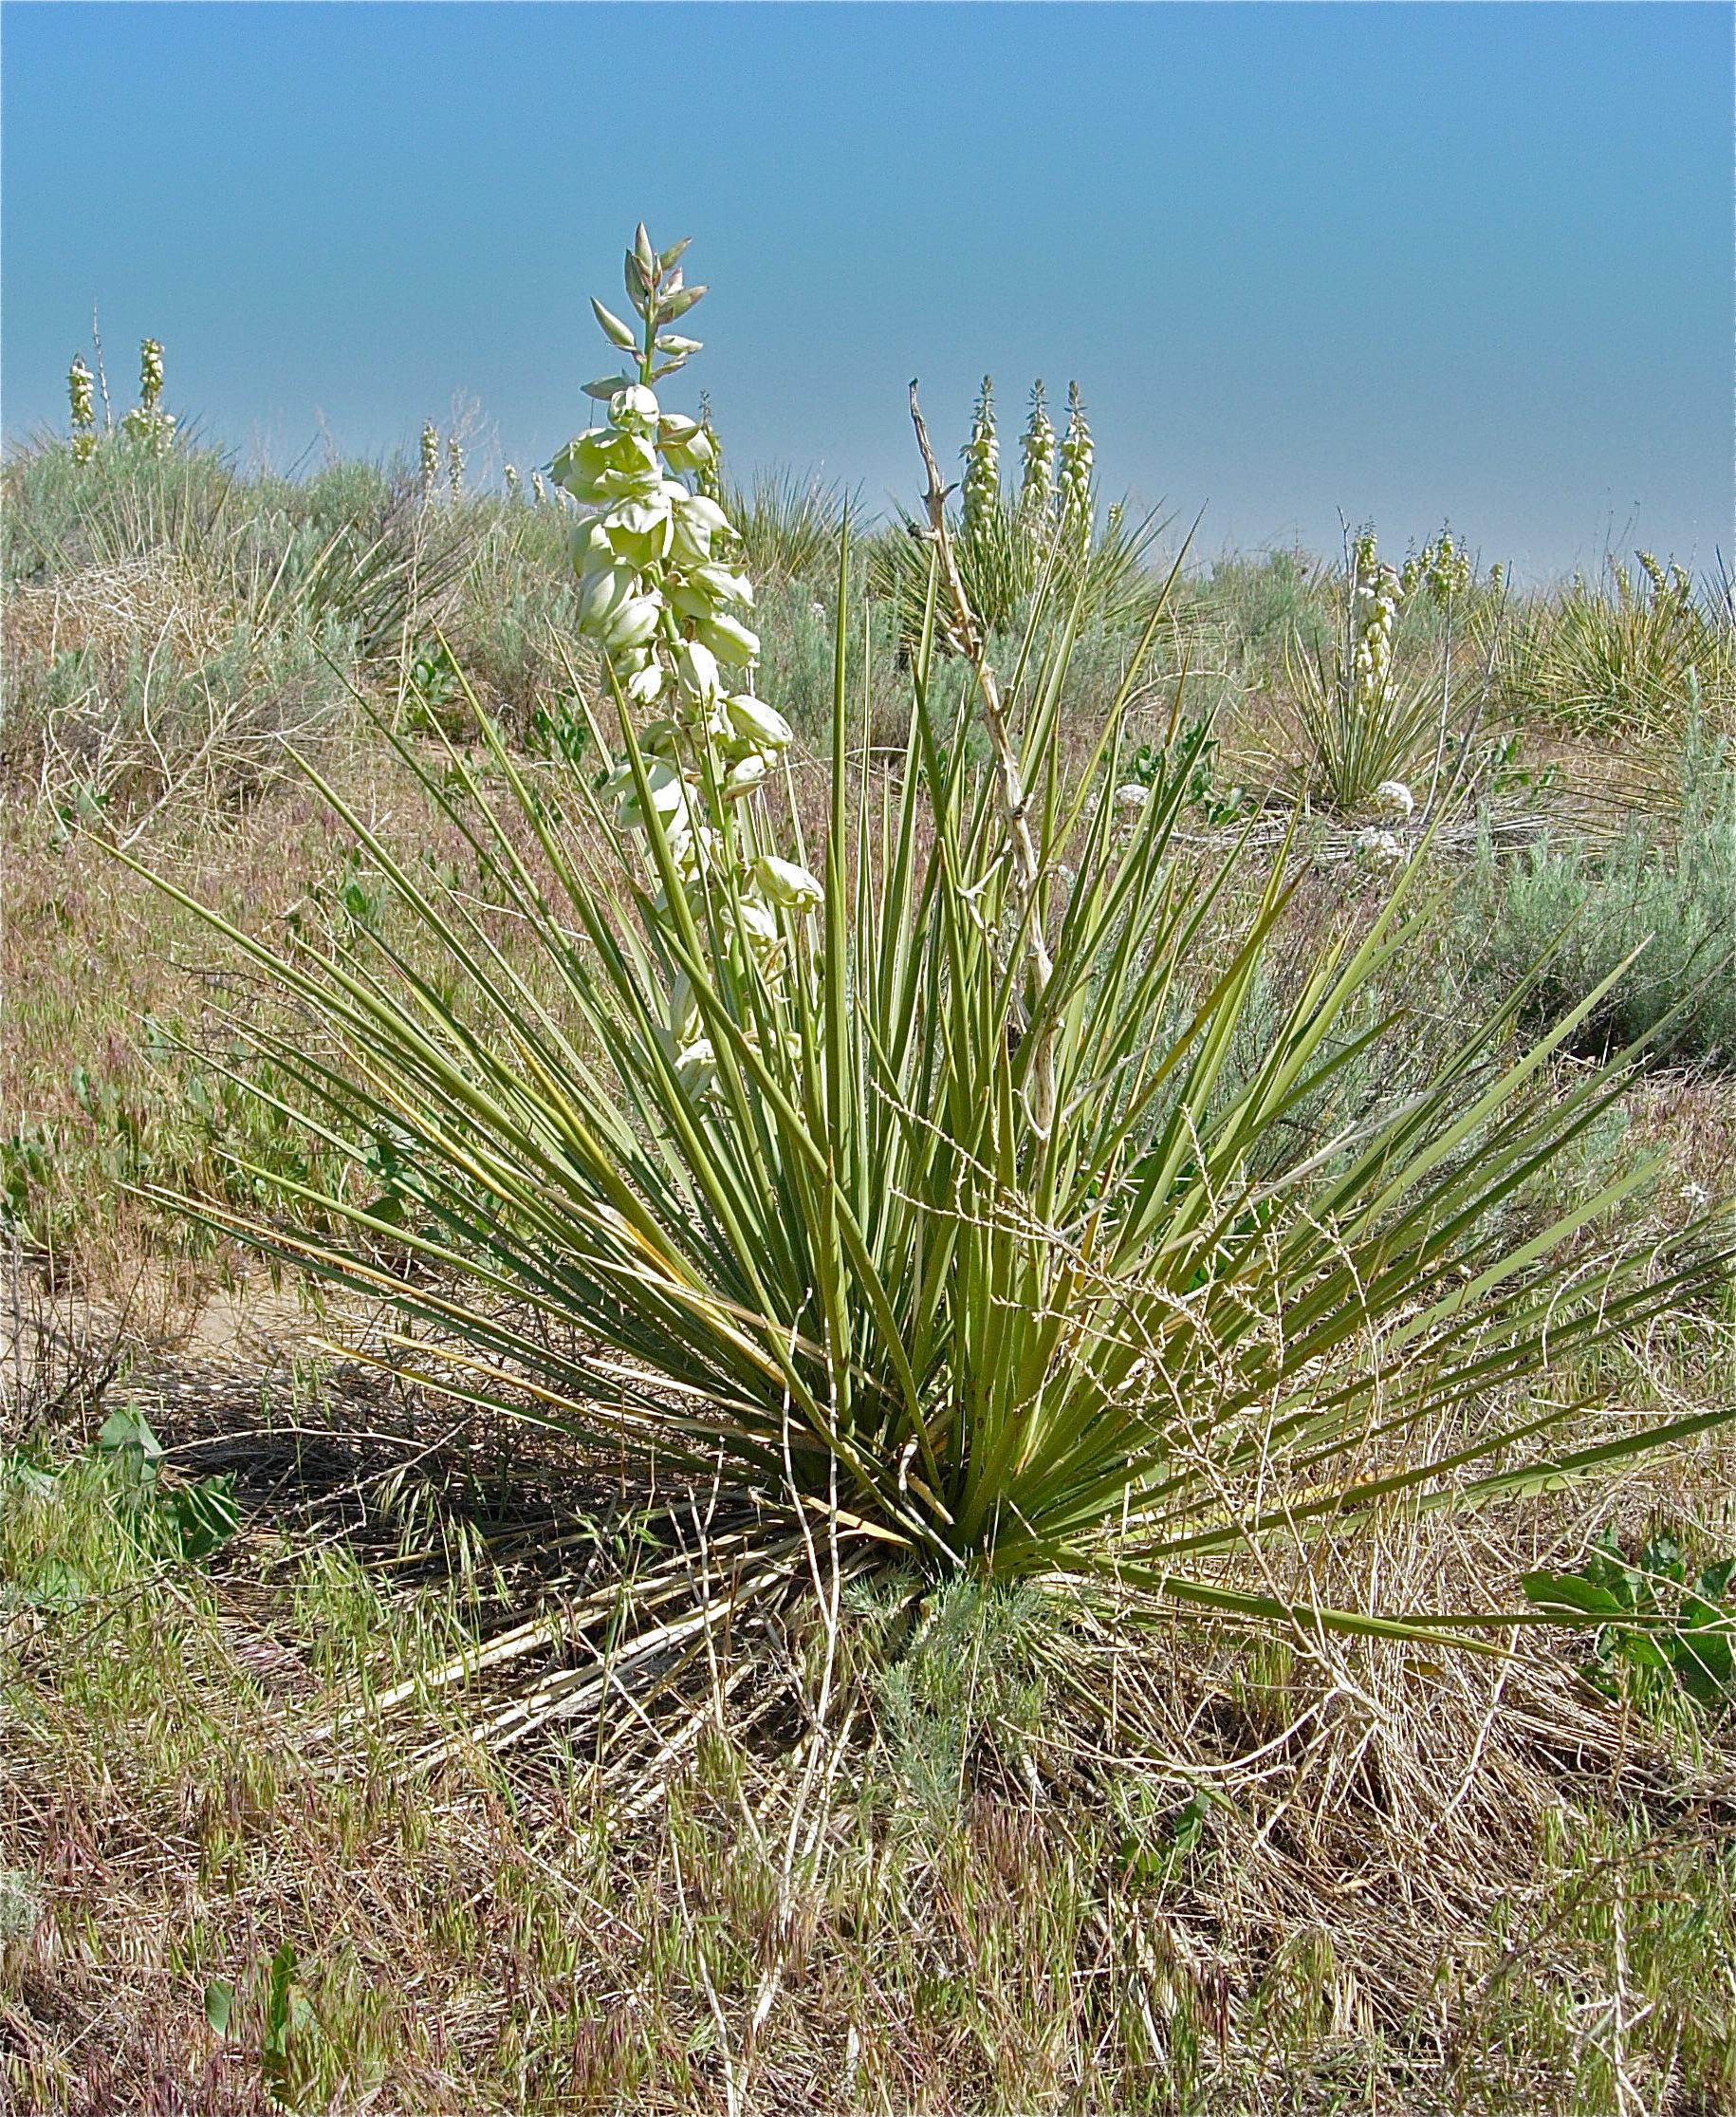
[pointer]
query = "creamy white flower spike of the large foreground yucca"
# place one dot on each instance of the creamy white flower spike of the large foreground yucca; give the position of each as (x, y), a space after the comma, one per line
(655, 592)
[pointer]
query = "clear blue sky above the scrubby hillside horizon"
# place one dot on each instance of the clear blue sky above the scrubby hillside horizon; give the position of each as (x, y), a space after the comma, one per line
(1396, 261)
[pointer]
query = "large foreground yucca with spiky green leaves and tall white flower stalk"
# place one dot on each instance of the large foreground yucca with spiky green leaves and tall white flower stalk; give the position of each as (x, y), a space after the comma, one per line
(920, 1197)
